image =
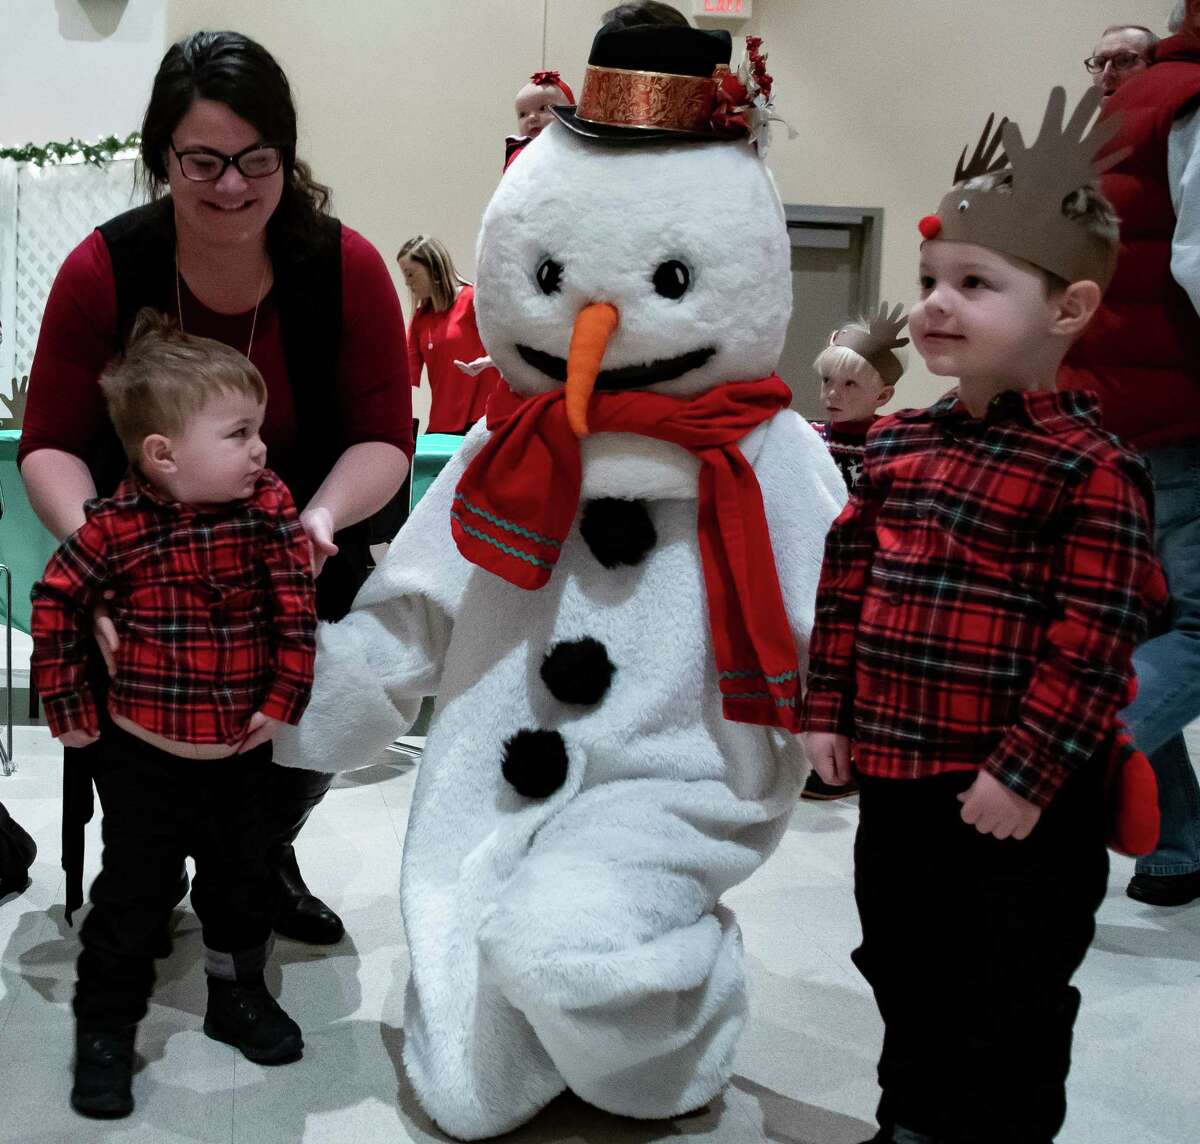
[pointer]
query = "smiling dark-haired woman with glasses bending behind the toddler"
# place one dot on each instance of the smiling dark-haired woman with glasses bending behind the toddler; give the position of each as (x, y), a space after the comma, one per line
(237, 244)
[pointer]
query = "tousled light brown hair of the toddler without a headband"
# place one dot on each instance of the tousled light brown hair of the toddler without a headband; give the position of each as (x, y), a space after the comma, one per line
(166, 378)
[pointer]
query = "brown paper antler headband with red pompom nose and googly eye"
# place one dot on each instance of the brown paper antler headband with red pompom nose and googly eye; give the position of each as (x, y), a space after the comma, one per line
(1024, 218)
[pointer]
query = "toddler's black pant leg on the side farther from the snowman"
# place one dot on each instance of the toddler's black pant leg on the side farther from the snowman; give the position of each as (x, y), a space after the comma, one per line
(145, 836)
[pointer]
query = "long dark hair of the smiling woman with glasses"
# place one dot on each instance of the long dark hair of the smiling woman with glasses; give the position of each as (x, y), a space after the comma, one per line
(232, 69)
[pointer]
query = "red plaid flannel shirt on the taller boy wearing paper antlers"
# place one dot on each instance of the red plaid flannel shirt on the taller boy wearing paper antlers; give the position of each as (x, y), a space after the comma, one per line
(983, 591)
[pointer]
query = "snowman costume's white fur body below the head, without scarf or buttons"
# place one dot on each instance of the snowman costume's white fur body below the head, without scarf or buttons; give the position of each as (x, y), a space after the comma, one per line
(579, 941)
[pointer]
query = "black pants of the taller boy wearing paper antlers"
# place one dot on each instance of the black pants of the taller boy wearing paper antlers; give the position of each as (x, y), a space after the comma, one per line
(970, 944)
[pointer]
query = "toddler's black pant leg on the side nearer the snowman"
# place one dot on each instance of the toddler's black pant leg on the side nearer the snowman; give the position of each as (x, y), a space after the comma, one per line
(236, 893)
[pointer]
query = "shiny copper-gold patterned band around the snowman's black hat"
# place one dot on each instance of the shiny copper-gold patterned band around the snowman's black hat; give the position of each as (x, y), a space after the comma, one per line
(653, 101)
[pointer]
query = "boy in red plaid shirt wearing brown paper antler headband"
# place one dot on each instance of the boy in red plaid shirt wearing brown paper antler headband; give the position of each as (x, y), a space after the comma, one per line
(981, 597)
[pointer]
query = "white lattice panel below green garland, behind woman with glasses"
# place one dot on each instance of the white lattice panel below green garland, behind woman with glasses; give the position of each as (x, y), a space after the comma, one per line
(56, 209)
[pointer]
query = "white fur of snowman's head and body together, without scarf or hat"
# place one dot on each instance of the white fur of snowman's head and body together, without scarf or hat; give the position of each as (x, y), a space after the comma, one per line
(580, 941)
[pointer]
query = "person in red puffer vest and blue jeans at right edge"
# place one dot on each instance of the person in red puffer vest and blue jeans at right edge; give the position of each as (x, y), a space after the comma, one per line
(1142, 355)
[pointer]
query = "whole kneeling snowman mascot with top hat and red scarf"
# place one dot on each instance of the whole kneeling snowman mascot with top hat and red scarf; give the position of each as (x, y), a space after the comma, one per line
(610, 590)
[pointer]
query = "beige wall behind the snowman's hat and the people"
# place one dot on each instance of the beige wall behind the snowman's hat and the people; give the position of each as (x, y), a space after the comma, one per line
(405, 104)
